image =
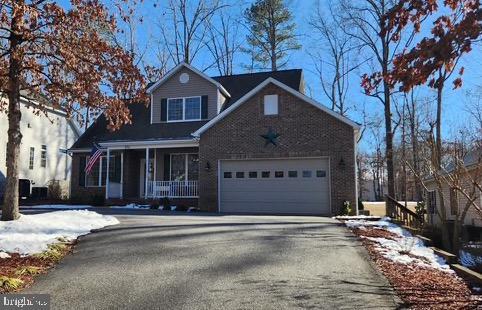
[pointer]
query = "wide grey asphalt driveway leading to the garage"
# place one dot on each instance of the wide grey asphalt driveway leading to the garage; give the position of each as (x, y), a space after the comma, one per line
(153, 261)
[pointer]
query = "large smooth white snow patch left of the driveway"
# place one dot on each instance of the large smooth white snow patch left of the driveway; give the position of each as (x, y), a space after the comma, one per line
(32, 234)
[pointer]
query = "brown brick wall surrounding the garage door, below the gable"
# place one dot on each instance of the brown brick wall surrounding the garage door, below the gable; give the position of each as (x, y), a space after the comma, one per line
(305, 131)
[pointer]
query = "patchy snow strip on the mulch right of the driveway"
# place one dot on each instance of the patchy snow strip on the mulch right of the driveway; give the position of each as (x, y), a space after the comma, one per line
(405, 249)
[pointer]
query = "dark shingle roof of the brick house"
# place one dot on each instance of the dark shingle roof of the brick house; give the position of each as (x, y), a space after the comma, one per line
(141, 128)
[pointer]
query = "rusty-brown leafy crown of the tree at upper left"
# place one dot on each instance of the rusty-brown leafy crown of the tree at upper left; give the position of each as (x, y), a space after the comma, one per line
(65, 57)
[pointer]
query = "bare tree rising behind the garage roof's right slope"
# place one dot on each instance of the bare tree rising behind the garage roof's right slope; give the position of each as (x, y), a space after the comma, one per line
(333, 60)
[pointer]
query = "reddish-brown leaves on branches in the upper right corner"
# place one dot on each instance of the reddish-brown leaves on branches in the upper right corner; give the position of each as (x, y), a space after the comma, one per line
(432, 60)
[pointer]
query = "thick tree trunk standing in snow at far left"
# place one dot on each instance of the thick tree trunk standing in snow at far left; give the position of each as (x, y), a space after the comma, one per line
(10, 204)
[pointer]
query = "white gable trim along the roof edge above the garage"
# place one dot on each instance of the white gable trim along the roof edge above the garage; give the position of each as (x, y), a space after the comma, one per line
(285, 87)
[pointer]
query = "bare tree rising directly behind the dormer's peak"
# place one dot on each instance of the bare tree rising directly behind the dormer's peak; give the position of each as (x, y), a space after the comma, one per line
(183, 27)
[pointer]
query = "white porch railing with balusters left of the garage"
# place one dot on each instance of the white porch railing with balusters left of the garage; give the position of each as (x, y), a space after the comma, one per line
(172, 189)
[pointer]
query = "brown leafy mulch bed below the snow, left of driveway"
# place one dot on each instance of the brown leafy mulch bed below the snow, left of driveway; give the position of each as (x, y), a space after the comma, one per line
(10, 266)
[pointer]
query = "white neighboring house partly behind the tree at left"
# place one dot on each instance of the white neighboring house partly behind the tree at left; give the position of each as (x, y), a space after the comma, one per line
(43, 156)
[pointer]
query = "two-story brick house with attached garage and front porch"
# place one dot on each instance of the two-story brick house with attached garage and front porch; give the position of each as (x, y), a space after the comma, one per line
(249, 143)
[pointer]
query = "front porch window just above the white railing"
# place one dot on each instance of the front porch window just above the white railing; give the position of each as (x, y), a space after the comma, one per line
(184, 167)
